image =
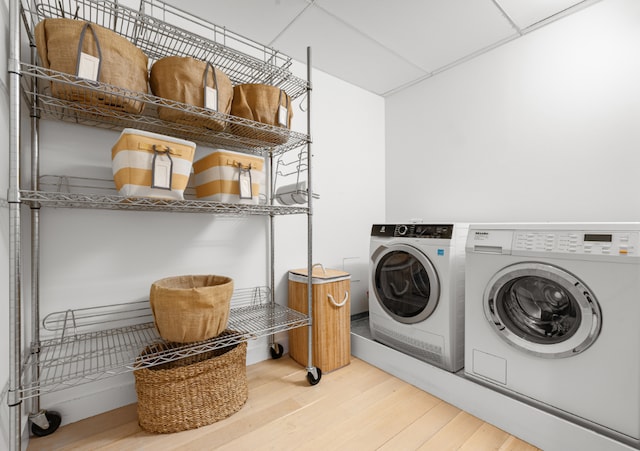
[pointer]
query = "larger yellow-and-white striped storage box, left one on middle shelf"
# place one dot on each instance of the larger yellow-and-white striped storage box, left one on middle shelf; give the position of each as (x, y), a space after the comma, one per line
(147, 164)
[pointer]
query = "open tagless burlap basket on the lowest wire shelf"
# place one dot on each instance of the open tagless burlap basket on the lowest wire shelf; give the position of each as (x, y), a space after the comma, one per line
(191, 308)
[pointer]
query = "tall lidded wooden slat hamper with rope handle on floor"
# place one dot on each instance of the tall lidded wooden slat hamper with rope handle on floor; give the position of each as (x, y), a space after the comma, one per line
(331, 330)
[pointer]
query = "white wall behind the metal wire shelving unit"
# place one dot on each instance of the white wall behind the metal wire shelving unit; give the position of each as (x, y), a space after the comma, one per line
(95, 257)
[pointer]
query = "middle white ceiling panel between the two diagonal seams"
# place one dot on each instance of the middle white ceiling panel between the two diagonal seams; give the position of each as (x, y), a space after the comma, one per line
(429, 33)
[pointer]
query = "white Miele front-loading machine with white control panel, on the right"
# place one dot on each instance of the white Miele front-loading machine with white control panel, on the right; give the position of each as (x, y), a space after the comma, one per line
(553, 318)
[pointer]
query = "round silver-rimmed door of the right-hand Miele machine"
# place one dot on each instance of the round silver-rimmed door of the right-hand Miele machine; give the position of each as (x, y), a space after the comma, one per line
(542, 310)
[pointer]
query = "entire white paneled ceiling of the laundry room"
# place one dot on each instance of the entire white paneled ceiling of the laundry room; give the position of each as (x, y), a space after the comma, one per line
(381, 46)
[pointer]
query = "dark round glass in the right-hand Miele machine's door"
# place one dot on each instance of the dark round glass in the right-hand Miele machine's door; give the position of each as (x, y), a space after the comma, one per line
(538, 310)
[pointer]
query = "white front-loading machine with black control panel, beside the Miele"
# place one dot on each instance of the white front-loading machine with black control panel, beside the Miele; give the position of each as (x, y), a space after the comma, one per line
(416, 290)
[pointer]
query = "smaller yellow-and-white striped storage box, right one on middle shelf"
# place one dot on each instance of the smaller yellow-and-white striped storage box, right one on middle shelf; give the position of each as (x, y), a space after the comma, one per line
(231, 177)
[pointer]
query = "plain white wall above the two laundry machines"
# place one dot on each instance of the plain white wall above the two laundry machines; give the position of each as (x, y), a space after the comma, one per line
(544, 128)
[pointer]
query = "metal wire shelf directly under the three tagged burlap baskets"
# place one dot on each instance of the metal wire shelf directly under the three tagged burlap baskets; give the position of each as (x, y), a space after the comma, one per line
(75, 102)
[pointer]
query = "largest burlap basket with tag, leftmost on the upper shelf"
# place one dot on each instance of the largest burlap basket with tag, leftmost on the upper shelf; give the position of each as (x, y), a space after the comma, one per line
(122, 64)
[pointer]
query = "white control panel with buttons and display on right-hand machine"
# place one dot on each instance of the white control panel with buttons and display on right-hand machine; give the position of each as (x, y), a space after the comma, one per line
(578, 242)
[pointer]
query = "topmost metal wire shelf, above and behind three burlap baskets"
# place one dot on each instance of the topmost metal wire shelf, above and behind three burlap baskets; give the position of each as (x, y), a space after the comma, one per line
(160, 29)
